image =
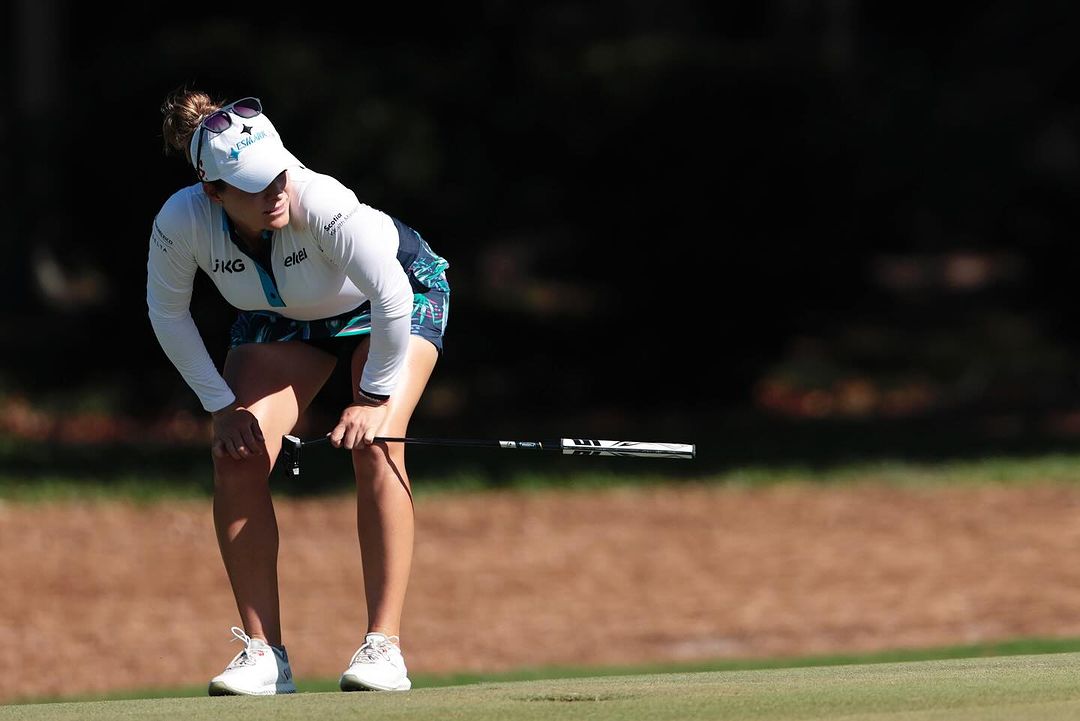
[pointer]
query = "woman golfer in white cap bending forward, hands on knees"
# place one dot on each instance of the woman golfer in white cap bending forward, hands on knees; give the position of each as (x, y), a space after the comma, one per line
(317, 277)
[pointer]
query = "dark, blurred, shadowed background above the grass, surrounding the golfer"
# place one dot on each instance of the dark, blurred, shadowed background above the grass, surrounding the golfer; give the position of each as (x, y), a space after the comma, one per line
(780, 230)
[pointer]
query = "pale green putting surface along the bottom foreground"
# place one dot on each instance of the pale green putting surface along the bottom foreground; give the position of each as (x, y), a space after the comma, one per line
(1001, 689)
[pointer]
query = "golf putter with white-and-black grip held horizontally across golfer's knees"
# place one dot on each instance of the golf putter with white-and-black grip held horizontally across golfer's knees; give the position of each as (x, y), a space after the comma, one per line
(291, 447)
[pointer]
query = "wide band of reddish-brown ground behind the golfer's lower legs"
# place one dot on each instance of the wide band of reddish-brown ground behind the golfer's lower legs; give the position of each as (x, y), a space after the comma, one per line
(105, 596)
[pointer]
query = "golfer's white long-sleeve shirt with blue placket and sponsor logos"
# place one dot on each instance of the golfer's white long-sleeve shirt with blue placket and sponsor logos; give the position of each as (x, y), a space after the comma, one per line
(335, 254)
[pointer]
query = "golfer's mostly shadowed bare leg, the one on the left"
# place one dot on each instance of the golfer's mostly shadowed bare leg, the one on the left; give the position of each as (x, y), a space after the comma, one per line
(276, 383)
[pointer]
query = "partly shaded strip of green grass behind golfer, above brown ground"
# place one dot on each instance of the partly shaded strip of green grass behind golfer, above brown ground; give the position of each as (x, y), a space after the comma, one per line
(733, 450)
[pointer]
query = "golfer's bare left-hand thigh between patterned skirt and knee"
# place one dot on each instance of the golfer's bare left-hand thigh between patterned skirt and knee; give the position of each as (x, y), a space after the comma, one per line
(277, 382)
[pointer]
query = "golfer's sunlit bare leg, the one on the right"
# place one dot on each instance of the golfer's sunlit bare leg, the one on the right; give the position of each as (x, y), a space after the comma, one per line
(384, 495)
